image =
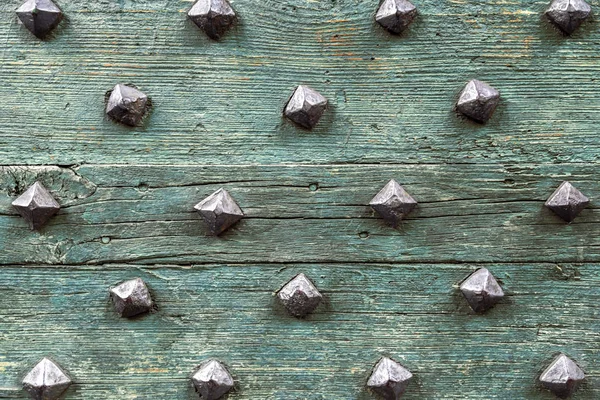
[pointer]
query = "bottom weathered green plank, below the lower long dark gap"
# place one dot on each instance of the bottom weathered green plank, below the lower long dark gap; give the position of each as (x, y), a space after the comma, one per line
(414, 313)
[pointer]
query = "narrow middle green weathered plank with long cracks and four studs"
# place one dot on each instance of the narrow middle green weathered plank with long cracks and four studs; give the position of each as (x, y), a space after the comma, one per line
(468, 213)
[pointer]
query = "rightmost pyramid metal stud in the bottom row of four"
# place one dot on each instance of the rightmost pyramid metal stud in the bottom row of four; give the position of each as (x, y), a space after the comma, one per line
(562, 376)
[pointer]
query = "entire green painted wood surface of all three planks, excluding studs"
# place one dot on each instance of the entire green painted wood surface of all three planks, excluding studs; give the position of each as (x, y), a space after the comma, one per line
(127, 197)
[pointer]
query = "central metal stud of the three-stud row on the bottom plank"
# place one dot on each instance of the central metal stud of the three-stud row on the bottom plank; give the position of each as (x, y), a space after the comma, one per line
(299, 296)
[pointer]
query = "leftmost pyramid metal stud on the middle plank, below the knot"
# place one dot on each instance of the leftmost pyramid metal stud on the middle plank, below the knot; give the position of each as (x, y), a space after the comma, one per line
(36, 205)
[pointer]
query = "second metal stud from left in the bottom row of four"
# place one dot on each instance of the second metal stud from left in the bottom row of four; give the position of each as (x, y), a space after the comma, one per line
(212, 380)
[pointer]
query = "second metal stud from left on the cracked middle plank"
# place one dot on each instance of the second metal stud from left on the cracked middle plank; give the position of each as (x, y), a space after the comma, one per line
(219, 211)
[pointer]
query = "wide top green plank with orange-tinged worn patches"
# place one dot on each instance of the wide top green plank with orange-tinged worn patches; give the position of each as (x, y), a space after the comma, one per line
(391, 98)
